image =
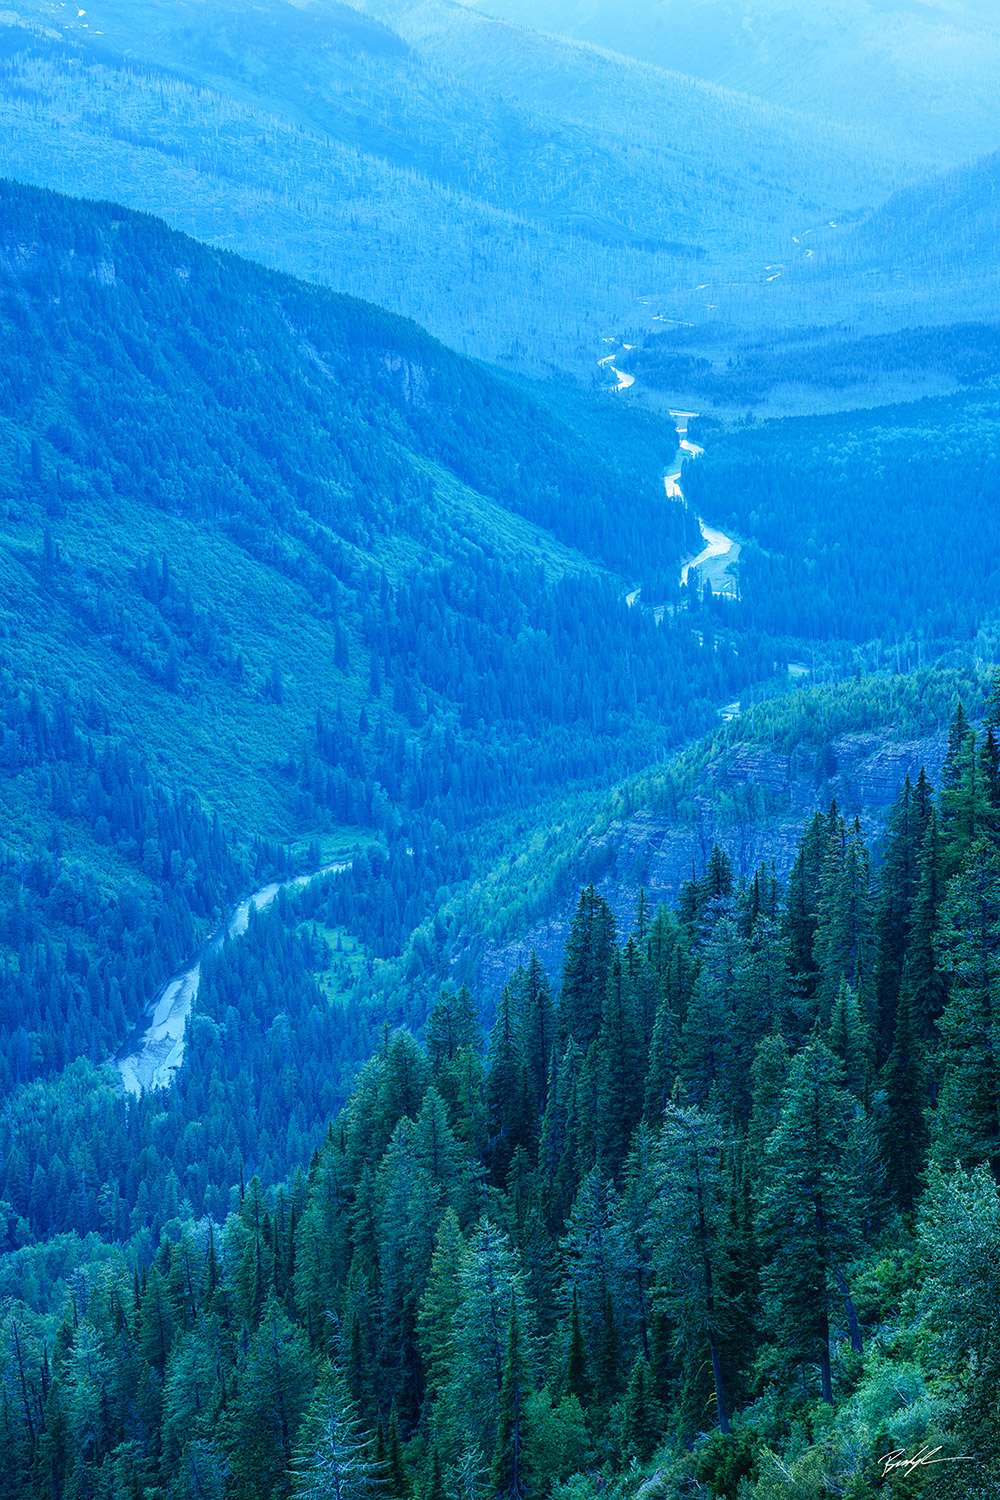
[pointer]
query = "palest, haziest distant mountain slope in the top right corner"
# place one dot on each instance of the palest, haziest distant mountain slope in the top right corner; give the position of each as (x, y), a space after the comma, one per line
(899, 68)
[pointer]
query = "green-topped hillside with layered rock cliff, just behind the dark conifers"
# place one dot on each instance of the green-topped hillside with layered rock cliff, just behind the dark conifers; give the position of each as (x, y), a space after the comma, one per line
(750, 788)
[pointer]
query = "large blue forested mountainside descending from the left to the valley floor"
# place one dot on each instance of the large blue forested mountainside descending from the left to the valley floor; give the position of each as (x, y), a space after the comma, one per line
(281, 577)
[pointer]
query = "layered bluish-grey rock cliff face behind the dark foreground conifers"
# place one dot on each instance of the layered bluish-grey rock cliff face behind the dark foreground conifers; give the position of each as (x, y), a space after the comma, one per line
(755, 805)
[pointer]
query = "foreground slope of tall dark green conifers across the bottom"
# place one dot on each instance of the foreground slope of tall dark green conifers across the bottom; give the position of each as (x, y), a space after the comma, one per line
(719, 1217)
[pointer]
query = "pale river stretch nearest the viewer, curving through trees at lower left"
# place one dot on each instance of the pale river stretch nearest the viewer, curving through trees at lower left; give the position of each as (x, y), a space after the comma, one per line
(152, 1057)
